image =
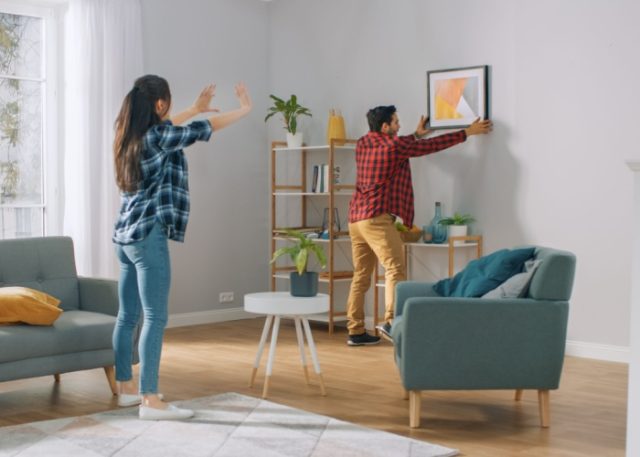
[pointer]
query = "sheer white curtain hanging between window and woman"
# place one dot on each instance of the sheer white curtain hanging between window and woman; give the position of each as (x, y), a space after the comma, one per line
(103, 56)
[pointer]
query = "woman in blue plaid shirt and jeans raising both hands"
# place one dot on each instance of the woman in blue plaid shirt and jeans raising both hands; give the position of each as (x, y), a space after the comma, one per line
(151, 172)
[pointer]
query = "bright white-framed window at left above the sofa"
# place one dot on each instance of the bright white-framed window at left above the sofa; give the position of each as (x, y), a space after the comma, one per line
(24, 92)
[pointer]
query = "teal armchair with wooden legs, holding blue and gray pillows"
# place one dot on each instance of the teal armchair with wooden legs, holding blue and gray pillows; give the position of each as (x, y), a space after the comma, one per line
(446, 343)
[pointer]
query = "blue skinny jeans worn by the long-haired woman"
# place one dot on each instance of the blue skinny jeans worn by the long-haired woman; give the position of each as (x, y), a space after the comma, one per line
(145, 277)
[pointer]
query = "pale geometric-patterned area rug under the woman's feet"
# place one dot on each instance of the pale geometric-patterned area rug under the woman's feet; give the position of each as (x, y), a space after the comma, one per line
(226, 425)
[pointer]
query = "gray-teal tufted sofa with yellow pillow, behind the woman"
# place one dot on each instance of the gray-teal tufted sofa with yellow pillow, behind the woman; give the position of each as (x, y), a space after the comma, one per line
(80, 338)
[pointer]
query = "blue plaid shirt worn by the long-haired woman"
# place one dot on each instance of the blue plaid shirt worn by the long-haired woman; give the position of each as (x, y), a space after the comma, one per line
(163, 191)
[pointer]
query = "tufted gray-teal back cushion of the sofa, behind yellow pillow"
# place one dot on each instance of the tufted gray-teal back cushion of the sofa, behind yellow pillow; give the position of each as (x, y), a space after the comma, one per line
(44, 263)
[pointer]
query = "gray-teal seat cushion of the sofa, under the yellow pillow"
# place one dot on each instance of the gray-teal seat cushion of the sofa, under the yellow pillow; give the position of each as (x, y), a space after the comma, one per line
(73, 331)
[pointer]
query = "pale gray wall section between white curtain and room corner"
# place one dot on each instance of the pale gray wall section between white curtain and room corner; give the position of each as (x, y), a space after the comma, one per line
(193, 43)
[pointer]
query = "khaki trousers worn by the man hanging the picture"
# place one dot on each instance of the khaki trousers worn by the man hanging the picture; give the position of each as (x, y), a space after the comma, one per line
(371, 238)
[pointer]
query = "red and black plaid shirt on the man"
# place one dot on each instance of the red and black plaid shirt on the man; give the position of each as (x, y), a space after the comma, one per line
(383, 182)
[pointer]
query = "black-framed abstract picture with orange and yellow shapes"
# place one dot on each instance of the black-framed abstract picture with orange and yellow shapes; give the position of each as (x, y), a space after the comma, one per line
(456, 97)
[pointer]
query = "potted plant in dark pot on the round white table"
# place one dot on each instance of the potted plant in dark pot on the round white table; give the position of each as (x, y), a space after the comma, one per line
(303, 283)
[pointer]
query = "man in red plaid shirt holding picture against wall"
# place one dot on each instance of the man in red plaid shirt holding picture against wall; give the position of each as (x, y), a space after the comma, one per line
(383, 192)
